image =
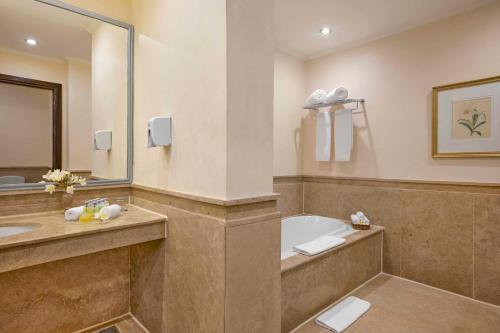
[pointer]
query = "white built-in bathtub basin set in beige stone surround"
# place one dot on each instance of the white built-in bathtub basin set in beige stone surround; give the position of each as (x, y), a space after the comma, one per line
(300, 229)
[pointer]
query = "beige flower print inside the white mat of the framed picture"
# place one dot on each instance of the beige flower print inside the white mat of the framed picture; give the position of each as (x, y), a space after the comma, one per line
(471, 118)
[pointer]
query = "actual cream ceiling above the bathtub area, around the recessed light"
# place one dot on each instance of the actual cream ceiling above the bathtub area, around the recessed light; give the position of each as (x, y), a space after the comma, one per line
(297, 22)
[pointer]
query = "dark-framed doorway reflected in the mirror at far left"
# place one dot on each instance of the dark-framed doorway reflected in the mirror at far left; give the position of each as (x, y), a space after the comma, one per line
(30, 129)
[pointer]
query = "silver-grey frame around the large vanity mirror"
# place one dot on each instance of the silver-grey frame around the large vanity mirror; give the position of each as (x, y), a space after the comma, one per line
(130, 97)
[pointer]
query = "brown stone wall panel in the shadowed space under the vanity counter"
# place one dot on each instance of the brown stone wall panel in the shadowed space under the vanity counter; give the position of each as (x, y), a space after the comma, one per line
(66, 295)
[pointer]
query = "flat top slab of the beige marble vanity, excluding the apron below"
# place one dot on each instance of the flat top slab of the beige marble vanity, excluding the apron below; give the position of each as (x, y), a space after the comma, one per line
(52, 226)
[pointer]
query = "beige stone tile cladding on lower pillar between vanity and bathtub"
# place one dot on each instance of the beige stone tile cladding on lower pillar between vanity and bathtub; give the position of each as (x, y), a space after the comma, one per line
(222, 264)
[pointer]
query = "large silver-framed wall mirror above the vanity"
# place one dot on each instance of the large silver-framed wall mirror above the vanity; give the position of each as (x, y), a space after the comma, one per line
(65, 94)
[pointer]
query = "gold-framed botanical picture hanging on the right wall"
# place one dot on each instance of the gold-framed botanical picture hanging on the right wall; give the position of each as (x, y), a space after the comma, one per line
(466, 119)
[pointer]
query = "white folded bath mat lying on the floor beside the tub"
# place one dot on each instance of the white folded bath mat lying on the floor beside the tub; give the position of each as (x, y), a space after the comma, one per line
(343, 315)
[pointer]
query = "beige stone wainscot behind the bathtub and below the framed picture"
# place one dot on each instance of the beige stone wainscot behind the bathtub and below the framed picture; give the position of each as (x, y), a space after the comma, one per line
(445, 235)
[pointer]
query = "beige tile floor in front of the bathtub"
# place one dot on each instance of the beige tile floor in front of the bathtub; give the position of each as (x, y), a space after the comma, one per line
(400, 306)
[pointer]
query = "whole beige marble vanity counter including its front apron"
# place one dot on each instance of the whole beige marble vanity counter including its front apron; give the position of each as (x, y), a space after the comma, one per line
(54, 239)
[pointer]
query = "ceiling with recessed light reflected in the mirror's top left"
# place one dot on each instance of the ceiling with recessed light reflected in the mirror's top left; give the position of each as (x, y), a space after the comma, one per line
(61, 34)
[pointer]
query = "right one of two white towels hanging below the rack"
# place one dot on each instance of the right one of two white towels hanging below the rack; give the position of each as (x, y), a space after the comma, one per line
(343, 132)
